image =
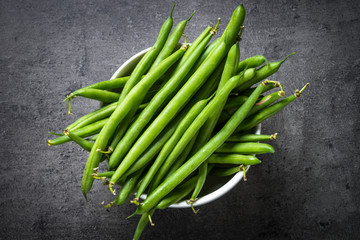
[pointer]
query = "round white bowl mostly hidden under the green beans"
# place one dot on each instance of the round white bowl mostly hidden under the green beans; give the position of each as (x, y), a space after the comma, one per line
(215, 187)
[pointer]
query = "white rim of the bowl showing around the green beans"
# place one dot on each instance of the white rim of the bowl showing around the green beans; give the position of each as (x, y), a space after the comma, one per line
(210, 197)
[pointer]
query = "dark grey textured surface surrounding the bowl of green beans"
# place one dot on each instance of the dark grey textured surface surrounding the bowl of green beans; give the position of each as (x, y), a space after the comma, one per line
(307, 190)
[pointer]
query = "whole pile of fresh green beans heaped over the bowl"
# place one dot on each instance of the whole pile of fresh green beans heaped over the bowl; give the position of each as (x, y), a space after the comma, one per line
(184, 113)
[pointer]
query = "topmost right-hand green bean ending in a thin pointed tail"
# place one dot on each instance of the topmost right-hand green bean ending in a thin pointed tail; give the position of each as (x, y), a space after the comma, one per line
(262, 73)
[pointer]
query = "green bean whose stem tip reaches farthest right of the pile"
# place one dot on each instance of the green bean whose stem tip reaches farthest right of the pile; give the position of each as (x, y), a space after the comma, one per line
(255, 119)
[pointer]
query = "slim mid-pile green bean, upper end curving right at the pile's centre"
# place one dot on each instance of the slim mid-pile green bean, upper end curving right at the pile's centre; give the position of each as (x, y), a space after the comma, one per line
(183, 125)
